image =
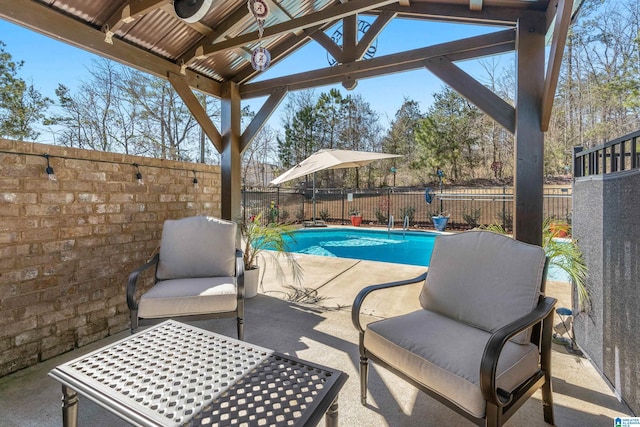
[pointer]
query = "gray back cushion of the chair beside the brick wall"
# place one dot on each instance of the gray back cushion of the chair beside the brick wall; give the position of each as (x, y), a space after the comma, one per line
(199, 246)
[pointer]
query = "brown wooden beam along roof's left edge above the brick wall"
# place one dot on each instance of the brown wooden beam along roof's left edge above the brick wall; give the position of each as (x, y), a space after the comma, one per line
(47, 21)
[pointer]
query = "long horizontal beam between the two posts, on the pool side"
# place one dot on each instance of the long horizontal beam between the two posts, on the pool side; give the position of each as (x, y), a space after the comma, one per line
(460, 49)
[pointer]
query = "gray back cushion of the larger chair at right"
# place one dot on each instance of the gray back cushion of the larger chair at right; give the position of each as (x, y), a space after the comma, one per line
(483, 279)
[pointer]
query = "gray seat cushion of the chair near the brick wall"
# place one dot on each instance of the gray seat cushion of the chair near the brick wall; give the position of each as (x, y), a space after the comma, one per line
(185, 297)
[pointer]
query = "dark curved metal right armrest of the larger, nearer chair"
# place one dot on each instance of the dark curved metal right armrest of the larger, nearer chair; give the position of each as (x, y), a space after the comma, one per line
(499, 338)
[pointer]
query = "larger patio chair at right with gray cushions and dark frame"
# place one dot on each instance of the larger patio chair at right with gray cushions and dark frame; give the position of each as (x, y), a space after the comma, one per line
(481, 342)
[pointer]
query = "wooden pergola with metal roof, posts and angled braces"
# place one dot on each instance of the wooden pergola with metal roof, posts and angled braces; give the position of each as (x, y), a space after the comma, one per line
(212, 54)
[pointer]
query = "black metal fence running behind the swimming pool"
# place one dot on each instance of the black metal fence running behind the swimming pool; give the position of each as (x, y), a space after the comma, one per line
(467, 207)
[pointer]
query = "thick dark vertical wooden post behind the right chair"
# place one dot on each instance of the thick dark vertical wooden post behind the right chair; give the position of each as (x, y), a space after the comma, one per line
(529, 138)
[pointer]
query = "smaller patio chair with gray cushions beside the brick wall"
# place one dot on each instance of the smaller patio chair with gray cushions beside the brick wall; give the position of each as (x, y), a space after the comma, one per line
(199, 274)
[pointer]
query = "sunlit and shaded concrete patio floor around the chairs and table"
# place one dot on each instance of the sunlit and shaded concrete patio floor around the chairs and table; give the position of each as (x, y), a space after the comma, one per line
(322, 332)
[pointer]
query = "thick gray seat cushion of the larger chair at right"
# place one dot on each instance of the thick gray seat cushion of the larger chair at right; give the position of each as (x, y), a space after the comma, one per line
(444, 355)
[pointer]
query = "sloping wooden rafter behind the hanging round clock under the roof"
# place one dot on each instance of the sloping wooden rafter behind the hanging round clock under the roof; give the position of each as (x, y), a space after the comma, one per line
(312, 19)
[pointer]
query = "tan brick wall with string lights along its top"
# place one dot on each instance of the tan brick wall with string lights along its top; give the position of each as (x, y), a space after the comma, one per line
(67, 246)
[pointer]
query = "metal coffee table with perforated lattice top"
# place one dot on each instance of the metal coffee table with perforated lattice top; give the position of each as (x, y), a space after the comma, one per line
(179, 375)
